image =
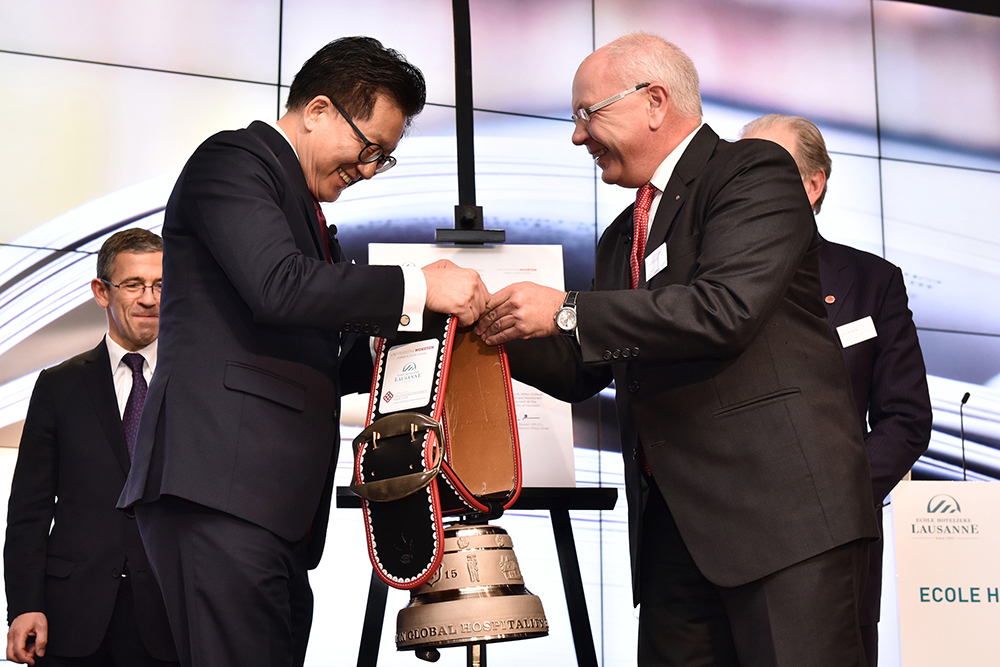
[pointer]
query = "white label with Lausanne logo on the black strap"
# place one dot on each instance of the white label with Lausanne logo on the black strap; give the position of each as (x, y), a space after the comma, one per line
(409, 376)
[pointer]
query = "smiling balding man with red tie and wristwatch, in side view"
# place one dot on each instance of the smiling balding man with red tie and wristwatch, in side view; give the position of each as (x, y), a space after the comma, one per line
(750, 510)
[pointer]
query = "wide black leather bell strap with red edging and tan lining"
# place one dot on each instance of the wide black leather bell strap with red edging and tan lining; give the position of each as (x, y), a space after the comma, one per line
(450, 449)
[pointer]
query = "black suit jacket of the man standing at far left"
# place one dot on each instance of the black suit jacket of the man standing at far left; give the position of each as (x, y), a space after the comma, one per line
(73, 449)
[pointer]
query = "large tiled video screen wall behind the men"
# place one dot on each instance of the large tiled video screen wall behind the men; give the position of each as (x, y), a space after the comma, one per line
(101, 102)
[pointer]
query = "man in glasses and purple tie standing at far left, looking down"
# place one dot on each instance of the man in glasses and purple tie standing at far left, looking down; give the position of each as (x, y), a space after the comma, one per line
(79, 587)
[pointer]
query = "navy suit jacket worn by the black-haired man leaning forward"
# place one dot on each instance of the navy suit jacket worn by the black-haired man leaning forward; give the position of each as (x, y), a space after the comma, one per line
(256, 333)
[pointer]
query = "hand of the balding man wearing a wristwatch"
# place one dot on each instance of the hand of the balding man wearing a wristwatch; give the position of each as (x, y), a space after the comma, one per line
(521, 310)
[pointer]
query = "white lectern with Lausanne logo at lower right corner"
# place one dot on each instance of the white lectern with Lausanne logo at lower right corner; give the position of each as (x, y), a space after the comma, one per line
(947, 549)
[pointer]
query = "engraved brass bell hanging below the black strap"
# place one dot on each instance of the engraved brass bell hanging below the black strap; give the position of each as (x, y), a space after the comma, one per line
(476, 596)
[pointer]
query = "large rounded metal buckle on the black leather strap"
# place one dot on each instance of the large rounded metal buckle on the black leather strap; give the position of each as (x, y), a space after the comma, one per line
(394, 426)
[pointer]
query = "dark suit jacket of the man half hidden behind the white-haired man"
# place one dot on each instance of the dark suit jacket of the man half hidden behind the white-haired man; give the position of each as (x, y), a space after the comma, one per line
(887, 375)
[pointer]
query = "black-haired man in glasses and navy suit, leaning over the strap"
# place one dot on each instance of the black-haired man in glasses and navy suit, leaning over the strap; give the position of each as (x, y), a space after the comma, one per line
(265, 324)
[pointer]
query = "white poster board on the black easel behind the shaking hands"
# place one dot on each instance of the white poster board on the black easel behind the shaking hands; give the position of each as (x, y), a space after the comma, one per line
(545, 425)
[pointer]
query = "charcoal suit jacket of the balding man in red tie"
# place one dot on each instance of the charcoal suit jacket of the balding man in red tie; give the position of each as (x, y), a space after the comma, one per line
(724, 367)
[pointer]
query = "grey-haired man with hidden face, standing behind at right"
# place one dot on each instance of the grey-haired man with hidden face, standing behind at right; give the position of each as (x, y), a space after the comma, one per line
(866, 305)
